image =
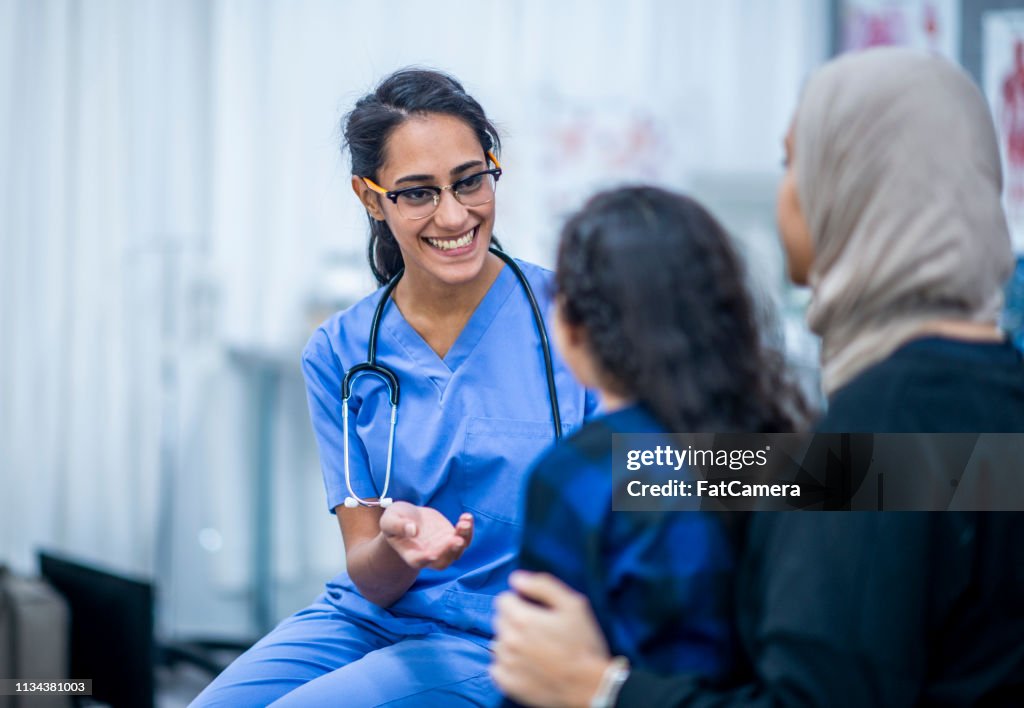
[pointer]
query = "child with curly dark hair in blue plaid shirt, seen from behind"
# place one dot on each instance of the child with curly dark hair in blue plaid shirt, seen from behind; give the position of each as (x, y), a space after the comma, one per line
(652, 311)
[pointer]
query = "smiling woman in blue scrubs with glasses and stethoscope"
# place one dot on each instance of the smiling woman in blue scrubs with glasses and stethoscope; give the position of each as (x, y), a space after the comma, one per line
(410, 622)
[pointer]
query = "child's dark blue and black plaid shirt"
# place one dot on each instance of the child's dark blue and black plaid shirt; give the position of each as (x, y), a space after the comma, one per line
(661, 584)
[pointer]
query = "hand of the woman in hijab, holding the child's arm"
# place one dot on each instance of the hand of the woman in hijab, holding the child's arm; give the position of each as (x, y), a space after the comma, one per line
(548, 648)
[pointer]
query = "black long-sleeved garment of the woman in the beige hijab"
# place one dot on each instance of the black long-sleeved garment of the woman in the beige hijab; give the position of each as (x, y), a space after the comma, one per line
(884, 609)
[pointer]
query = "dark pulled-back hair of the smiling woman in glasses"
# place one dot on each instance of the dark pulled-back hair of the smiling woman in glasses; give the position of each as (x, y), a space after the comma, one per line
(368, 128)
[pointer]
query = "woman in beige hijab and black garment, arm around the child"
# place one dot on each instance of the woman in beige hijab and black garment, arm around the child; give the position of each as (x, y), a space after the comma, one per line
(890, 212)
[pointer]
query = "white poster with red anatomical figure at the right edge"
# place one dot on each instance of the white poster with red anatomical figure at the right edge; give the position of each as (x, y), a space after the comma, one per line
(1003, 75)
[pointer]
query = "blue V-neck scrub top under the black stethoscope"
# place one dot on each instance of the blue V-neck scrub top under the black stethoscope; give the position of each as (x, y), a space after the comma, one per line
(470, 428)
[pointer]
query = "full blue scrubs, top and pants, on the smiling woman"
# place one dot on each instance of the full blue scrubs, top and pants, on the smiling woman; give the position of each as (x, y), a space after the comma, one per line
(470, 427)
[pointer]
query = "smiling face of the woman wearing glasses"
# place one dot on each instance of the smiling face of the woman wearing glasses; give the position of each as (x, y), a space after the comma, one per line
(449, 247)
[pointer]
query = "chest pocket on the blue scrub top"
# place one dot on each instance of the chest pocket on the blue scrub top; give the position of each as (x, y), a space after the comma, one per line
(497, 456)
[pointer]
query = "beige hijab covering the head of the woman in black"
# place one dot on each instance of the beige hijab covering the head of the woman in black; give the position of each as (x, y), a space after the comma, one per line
(899, 176)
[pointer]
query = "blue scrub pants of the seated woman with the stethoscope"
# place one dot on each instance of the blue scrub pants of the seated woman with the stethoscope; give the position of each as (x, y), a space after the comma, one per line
(323, 657)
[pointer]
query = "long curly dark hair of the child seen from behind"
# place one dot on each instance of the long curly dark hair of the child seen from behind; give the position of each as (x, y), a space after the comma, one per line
(660, 293)
